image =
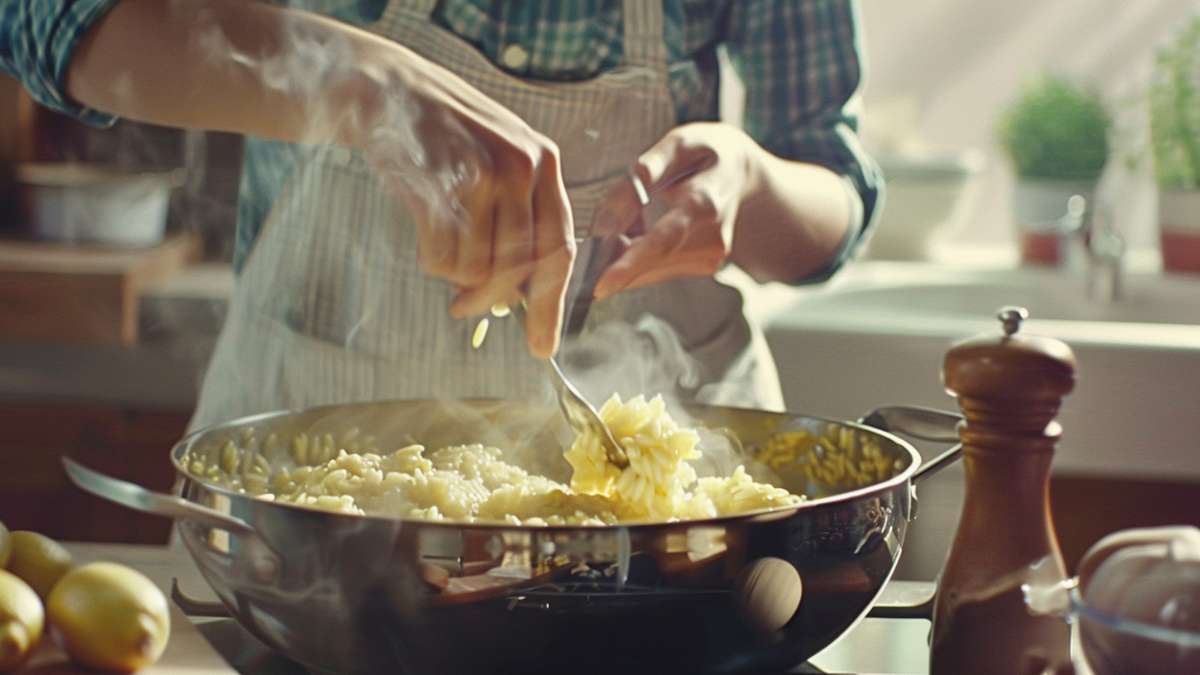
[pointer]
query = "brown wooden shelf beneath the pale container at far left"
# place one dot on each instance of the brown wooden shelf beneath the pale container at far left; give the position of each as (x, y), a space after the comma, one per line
(68, 294)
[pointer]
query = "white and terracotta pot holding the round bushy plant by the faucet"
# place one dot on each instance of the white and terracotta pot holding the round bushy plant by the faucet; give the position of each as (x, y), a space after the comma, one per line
(1039, 206)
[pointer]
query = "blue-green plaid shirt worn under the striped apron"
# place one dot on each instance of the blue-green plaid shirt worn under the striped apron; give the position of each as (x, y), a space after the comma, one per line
(799, 61)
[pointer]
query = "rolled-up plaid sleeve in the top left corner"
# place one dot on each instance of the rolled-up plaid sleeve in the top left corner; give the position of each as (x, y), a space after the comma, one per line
(38, 40)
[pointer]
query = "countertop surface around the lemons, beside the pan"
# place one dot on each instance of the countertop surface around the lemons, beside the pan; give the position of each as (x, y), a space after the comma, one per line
(188, 650)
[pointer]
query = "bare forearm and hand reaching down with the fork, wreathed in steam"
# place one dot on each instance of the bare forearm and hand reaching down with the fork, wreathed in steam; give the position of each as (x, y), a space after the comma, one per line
(469, 170)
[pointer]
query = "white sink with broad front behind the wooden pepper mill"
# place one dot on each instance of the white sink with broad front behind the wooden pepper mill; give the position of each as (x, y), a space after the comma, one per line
(879, 333)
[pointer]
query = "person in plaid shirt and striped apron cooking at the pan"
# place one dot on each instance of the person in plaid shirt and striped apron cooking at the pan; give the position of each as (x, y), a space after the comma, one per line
(410, 157)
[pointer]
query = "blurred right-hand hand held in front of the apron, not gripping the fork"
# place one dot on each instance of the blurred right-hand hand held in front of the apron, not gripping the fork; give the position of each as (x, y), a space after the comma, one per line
(704, 172)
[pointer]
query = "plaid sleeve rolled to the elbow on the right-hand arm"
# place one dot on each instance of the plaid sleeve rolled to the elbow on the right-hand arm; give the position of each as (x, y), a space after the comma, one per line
(802, 65)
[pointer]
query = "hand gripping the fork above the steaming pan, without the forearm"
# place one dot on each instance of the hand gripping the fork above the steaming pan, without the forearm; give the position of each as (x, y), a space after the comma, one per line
(487, 190)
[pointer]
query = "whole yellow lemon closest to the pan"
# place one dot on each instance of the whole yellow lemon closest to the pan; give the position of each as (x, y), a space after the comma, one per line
(110, 617)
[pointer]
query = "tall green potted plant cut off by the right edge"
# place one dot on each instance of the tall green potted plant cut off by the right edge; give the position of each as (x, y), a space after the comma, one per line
(1175, 138)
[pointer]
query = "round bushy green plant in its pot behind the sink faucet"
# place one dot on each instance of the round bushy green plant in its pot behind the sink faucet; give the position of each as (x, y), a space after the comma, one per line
(1057, 135)
